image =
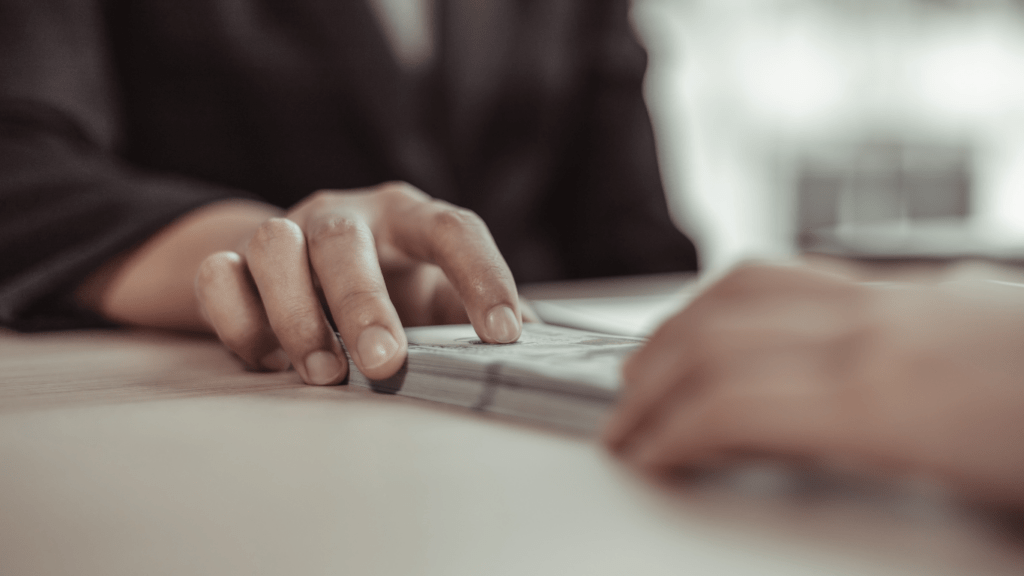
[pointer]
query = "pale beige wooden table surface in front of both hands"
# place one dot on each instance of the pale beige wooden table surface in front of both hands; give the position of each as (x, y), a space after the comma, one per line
(130, 452)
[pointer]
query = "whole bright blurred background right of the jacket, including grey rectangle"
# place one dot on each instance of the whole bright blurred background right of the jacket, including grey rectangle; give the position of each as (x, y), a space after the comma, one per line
(883, 130)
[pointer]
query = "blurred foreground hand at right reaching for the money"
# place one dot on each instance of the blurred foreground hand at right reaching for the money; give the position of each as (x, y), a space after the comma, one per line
(797, 364)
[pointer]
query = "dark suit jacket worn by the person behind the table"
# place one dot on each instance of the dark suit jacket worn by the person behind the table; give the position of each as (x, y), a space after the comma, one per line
(118, 116)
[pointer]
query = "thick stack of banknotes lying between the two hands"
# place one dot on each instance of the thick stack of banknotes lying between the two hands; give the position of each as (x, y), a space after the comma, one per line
(560, 377)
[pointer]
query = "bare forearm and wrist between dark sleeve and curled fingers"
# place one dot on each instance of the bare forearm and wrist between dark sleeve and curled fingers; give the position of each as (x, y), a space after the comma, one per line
(152, 285)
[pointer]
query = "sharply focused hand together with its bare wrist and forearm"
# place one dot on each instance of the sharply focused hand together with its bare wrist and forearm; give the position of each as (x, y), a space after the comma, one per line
(379, 259)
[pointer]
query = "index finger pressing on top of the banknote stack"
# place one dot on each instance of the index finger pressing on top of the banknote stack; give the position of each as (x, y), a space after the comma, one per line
(460, 243)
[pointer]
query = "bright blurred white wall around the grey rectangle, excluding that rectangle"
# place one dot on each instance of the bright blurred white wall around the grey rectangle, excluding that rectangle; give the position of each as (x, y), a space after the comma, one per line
(742, 92)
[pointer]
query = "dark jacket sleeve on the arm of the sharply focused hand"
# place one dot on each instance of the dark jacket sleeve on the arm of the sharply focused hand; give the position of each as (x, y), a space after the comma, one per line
(67, 202)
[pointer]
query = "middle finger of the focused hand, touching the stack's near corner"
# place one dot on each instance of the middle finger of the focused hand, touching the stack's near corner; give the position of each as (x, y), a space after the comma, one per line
(344, 253)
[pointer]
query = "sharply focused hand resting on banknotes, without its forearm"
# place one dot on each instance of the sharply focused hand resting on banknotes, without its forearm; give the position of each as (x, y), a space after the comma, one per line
(378, 259)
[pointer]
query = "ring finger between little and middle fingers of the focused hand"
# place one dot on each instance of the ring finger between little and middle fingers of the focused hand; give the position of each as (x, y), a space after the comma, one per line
(280, 267)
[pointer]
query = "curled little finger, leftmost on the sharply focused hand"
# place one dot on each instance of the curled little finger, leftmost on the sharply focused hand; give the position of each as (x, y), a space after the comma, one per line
(229, 301)
